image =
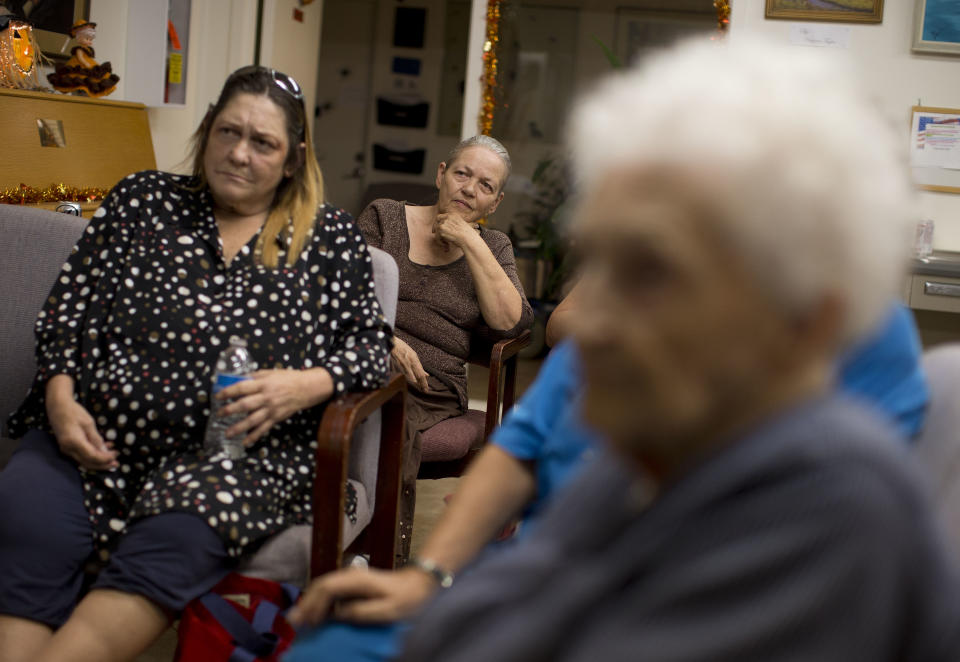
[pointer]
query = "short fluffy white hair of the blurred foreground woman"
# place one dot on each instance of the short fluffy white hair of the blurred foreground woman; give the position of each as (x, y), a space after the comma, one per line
(815, 191)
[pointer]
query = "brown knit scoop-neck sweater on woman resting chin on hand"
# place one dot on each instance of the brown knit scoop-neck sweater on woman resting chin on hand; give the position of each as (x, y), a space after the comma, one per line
(437, 310)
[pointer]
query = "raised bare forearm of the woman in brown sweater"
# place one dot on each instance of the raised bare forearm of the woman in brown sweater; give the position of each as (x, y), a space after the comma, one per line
(500, 303)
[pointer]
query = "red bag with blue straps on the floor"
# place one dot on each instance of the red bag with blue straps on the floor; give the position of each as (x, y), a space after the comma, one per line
(240, 620)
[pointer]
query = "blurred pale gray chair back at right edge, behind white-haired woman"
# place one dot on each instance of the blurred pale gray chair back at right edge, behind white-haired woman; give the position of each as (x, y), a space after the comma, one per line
(939, 443)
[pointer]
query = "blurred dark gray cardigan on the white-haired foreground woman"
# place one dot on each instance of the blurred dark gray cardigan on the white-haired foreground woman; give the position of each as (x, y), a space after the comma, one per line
(810, 539)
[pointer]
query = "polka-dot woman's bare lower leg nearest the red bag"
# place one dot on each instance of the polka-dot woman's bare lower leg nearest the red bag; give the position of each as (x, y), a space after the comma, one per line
(106, 626)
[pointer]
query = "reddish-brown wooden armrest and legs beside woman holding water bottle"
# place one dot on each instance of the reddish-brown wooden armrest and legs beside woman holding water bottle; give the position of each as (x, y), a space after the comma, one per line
(334, 436)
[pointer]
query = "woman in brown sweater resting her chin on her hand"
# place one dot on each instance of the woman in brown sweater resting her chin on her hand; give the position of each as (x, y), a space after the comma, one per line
(458, 279)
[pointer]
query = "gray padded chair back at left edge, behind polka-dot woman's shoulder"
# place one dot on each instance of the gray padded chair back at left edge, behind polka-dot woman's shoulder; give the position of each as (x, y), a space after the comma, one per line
(35, 244)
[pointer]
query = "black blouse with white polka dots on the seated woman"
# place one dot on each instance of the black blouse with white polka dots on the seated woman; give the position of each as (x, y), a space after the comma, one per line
(141, 310)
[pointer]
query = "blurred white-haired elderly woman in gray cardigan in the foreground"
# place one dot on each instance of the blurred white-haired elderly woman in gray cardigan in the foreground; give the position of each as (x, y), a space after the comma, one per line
(744, 215)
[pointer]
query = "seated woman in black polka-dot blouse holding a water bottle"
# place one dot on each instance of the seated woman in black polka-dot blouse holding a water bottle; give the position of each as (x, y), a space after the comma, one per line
(110, 463)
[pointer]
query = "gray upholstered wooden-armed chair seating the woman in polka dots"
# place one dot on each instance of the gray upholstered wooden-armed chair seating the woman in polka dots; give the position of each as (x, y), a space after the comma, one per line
(359, 438)
